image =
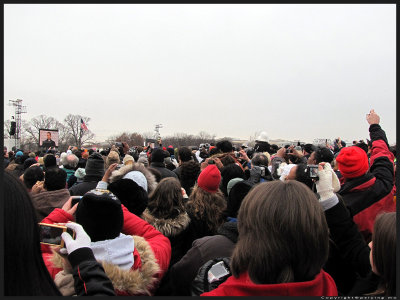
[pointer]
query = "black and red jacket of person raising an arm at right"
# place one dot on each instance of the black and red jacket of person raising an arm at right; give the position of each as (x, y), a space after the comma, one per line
(368, 195)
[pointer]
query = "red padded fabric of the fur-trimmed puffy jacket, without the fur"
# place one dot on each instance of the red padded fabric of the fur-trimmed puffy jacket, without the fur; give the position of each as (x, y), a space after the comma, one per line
(133, 225)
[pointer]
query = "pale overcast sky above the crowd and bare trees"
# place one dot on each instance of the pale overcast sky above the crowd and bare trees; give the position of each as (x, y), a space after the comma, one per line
(295, 71)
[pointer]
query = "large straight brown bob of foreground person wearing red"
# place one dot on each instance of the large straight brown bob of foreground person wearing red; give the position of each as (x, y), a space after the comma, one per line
(283, 234)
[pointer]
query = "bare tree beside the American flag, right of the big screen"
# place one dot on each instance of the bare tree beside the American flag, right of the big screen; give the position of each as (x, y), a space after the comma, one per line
(77, 136)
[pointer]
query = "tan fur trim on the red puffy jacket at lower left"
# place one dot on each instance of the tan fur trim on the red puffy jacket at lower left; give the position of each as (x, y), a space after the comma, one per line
(141, 281)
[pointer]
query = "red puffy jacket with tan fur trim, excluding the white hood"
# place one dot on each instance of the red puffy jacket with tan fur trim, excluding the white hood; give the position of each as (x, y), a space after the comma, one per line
(151, 256)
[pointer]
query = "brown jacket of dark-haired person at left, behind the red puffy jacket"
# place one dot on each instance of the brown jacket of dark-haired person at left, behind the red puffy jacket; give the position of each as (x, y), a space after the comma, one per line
(45, 202)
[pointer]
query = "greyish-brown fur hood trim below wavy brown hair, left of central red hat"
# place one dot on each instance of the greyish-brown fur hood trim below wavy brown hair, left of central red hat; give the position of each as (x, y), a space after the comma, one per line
(168, 227)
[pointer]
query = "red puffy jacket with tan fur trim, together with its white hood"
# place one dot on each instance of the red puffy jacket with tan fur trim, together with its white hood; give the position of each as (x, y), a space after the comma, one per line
(134, 270)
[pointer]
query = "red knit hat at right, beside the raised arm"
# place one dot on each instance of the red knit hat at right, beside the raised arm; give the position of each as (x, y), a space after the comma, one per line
(352, 162)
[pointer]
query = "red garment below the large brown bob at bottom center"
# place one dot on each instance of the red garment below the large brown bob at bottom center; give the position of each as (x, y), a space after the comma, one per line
(321, 285)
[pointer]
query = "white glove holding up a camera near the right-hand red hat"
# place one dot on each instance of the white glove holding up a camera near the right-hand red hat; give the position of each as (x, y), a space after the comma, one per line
(327, 183)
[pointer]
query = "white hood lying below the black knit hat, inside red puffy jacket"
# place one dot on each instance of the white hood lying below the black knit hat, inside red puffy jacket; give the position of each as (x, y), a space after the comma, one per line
(117, 251)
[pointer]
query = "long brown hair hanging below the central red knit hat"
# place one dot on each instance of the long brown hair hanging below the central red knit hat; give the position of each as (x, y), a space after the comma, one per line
(207, 206)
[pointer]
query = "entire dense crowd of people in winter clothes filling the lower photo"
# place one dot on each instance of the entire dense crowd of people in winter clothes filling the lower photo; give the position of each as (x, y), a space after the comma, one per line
(298, 220)
